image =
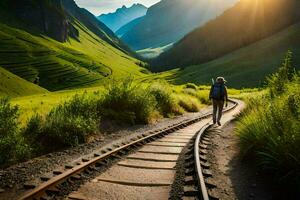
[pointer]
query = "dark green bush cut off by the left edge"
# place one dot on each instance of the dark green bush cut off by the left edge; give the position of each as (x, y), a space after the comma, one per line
(11, 144)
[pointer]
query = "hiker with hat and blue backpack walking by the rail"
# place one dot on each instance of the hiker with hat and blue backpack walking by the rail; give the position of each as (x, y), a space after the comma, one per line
(218, 95)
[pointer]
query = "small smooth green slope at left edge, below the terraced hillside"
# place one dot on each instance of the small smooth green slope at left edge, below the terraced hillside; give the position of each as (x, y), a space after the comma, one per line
(13, 86)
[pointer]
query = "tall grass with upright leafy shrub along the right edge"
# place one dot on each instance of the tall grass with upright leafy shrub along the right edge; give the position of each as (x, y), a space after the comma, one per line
(269, 129)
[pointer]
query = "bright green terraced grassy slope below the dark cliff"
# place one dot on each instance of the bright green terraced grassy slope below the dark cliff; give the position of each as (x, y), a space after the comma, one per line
(85, 62)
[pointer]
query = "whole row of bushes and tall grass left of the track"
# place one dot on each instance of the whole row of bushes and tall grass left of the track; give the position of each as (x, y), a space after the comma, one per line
(73, 122)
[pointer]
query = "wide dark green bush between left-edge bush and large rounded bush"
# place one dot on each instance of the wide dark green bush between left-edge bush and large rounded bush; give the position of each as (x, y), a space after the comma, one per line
(68, 124)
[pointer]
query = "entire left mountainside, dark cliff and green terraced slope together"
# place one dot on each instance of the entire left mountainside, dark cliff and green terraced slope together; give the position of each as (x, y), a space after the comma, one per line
(86, 59)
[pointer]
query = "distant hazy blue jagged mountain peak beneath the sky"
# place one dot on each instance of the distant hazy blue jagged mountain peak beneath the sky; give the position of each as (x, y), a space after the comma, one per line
(123, 16)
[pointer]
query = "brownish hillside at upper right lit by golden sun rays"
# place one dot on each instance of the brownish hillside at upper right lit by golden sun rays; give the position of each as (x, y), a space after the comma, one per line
(247, 22)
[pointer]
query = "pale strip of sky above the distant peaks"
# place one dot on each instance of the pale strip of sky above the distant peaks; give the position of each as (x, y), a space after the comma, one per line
(98, 7)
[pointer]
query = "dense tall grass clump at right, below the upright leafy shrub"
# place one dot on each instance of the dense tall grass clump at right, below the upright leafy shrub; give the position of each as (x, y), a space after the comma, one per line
(272, 133)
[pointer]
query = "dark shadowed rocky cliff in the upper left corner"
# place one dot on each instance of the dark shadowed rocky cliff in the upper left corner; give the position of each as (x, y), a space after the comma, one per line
(46, 17)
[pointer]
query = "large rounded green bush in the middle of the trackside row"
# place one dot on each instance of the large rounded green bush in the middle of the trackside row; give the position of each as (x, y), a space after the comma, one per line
(128, 102)
